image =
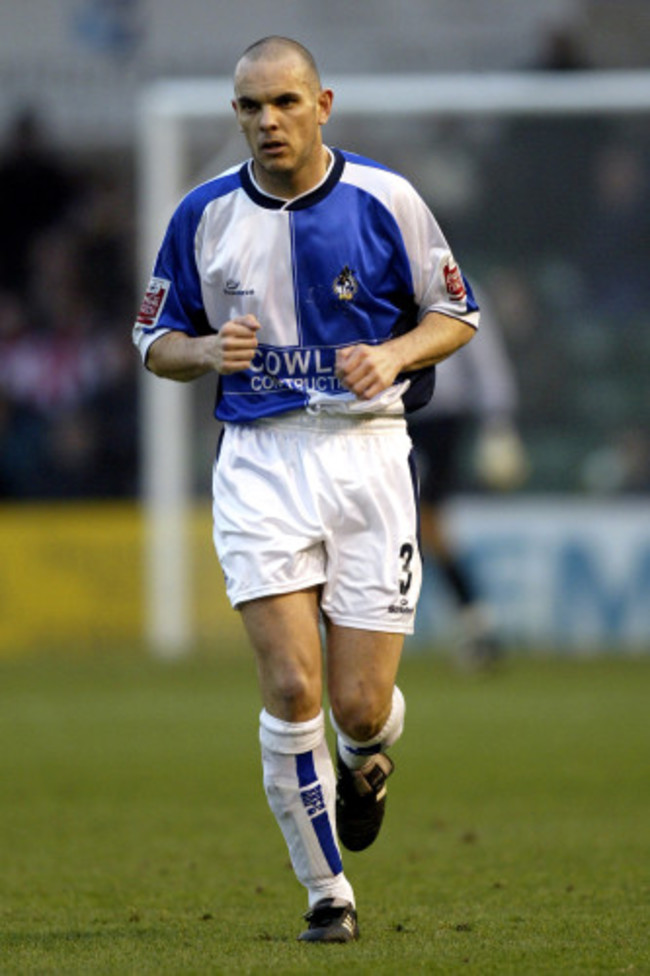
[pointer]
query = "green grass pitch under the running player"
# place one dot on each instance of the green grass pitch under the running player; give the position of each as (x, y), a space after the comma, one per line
(135, 836)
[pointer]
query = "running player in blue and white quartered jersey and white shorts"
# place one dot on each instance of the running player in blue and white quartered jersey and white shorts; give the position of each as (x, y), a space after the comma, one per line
(319, 288)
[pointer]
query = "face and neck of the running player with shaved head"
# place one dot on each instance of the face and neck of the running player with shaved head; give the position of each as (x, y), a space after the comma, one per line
(281, 110)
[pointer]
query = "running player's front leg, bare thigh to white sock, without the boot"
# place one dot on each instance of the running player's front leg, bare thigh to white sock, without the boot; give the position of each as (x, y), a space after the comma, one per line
(299, 776)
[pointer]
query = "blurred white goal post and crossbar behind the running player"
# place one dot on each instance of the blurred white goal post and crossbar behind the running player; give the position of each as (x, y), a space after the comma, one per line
(165, 110)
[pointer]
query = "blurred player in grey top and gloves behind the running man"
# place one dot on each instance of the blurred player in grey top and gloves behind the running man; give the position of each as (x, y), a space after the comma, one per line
(472, 413)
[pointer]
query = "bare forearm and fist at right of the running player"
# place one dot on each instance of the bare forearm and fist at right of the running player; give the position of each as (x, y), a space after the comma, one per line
(369, 370)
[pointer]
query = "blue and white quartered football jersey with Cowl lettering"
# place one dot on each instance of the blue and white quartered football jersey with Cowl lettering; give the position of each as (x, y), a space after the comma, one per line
(359, 258)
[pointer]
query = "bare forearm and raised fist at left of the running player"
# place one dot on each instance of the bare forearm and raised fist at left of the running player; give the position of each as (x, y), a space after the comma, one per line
(178, 356)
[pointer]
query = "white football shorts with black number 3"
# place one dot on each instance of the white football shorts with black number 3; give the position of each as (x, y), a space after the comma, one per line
(305, 501)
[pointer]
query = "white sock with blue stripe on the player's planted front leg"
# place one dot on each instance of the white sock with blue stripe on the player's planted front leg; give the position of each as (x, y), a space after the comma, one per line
(300, 786)
